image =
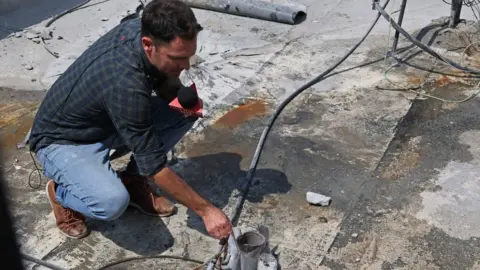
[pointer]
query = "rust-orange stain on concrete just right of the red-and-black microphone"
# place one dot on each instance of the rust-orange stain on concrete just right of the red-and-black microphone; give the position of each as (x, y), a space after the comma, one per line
(241, 114)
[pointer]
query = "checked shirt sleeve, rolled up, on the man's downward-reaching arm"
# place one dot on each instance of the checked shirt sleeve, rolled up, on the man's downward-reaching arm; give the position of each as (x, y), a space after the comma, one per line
(129, 107)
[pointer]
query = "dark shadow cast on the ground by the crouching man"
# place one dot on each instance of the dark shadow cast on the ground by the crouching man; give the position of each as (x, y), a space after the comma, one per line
(214, 177)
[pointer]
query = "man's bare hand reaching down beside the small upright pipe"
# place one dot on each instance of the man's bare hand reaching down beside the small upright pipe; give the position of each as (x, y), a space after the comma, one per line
(217, 223)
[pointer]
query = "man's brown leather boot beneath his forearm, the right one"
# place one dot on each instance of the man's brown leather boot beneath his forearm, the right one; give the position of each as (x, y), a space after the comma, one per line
(144, 198)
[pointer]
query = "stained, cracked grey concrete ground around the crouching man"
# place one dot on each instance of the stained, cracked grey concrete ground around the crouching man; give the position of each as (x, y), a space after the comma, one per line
(401, 170)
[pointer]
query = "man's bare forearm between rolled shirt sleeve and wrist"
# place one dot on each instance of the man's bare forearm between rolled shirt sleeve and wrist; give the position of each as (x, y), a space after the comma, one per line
(174, 185)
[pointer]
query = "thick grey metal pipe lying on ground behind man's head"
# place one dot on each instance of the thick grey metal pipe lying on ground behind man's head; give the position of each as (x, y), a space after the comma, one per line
(288, 13)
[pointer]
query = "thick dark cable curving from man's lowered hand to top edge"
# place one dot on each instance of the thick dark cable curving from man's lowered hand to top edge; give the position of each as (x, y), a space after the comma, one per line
(251, 171)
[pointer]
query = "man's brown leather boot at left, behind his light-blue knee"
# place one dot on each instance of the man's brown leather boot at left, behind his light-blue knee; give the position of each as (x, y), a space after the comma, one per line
(70, 223)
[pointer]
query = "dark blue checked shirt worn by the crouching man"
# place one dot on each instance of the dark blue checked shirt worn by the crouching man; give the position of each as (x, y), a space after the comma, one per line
(106, 91)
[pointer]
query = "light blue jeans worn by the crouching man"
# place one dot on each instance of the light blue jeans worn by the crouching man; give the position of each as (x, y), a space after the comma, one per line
(85, 180)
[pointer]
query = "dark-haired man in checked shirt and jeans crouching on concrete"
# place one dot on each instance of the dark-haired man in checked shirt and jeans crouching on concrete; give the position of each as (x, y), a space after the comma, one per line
(104, 101)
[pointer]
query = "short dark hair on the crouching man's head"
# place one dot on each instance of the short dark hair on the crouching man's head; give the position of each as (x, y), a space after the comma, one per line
(164, 20)
